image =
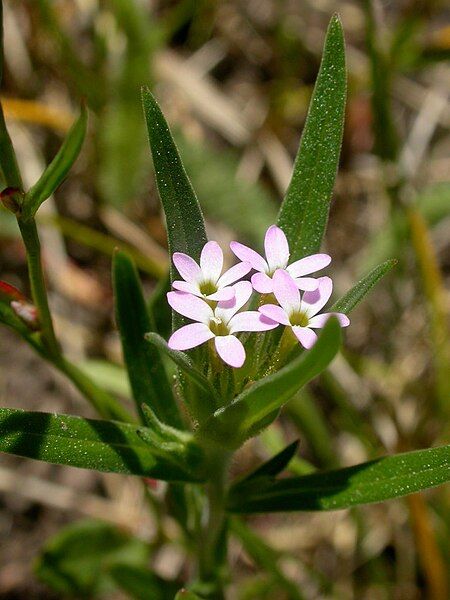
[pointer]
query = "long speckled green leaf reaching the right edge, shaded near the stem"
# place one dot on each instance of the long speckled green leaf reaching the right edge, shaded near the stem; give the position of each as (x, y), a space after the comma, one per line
(374, 481)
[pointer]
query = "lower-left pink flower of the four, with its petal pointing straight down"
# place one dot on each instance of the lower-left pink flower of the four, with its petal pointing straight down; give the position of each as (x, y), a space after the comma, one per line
(220, 323)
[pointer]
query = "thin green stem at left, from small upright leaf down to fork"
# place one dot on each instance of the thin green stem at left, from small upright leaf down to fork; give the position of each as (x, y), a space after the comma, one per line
(38, 289)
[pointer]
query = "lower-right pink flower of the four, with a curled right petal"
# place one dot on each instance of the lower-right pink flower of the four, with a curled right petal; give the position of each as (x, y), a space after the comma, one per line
(301, 313)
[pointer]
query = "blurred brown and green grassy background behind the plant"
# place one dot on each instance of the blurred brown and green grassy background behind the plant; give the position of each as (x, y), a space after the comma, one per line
(234, 79)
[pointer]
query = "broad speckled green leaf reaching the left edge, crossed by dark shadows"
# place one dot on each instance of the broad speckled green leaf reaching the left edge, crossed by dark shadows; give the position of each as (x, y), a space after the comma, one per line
(106, 446)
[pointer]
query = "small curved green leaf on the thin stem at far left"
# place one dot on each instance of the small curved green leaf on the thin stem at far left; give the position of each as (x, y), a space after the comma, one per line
(58, 169)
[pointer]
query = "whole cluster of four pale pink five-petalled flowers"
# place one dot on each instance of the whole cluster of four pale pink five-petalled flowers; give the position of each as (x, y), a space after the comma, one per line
(213, 300)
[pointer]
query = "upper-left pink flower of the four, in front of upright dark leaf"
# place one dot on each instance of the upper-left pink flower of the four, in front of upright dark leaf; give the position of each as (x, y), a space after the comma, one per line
(206, 280)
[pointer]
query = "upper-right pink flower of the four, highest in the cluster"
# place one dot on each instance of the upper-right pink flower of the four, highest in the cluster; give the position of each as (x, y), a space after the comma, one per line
(277, 256)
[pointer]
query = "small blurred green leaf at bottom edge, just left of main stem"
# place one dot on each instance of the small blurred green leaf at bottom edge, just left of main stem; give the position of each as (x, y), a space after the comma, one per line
(142, 584)
